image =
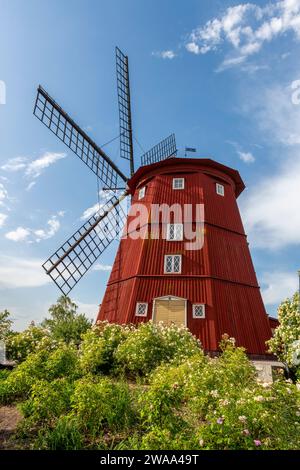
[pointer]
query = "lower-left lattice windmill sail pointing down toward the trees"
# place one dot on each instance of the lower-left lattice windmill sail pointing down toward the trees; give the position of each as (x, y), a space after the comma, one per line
(74, 258)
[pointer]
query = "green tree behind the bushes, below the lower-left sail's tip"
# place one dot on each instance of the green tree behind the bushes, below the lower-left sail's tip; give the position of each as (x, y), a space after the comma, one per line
(65, 323)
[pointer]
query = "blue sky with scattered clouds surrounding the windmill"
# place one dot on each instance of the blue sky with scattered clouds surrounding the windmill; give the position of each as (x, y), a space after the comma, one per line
(217, 73)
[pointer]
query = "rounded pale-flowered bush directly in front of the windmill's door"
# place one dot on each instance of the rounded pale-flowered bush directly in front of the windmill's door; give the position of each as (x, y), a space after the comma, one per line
(152, 344)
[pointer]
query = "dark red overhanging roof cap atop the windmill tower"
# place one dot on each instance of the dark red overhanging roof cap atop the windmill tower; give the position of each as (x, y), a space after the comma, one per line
(182, 165)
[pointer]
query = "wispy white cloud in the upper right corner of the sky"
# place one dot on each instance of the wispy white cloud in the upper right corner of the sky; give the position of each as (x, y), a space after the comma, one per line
(245, 28)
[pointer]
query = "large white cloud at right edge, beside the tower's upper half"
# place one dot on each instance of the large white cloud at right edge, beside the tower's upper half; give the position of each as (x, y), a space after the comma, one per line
(271, 208)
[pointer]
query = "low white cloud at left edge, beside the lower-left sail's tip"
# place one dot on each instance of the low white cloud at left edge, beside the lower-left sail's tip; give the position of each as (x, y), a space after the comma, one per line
(16, 272)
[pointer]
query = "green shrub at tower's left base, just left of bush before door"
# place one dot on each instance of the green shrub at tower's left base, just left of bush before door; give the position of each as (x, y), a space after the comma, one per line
(98, 347)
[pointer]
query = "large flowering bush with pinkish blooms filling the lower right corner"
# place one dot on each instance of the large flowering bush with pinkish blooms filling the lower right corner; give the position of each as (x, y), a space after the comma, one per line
(218, 404)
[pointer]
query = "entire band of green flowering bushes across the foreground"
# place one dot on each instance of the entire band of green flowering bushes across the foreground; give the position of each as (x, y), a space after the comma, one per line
(185, 399)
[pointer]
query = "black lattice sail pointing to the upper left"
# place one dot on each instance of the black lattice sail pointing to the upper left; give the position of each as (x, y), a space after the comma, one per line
(60, 123)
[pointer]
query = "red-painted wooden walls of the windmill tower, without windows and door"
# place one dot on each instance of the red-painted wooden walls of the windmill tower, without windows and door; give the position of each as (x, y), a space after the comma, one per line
(220, 275)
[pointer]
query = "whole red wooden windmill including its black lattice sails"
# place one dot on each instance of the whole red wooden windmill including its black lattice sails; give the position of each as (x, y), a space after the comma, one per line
(212, 290)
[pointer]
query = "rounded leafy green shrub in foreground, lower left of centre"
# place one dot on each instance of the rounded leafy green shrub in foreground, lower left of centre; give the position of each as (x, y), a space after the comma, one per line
(99, 402)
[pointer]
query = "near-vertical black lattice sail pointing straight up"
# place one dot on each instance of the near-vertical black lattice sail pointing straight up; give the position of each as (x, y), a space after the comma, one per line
(126, 144)
